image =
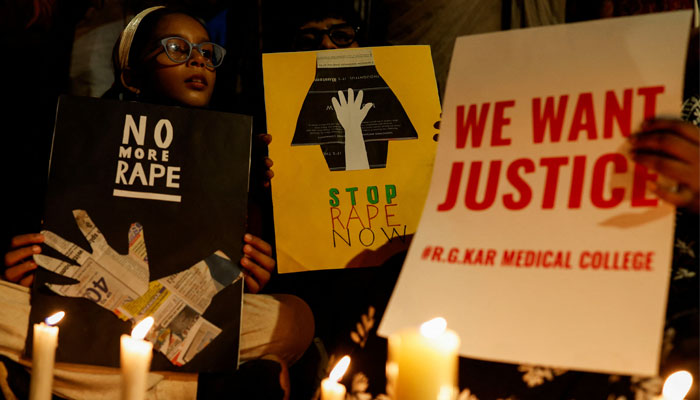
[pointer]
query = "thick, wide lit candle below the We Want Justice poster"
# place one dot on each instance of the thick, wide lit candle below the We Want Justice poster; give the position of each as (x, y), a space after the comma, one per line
(427, 362)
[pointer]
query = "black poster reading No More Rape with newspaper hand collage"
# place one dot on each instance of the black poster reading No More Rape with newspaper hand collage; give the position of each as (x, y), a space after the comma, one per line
(154, 199)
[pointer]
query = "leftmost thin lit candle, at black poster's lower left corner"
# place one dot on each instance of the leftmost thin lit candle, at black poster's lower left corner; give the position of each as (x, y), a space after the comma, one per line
(44, 345)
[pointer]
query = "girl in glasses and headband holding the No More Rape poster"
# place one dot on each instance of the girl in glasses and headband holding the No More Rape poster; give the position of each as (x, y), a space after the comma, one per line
(164, 56)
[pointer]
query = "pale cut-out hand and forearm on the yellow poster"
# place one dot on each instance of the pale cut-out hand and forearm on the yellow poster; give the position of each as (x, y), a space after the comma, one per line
(350, 115)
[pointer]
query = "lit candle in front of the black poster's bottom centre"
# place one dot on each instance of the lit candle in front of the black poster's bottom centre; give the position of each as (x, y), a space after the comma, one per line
(136, 356)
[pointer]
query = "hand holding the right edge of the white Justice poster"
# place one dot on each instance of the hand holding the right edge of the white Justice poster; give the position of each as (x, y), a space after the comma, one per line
(671, 148)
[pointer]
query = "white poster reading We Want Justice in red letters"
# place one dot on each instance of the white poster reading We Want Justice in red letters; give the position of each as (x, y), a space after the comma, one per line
(539, 242)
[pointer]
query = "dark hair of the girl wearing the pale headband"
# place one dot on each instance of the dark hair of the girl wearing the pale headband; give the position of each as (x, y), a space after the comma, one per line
(142, 38)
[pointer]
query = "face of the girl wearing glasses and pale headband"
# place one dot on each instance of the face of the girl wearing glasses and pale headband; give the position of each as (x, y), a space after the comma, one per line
(190, 83)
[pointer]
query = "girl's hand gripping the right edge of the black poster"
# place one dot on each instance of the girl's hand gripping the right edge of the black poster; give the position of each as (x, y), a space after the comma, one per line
(257, 262)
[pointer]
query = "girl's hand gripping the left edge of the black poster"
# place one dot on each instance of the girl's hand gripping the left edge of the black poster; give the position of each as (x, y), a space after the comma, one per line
(19, 265)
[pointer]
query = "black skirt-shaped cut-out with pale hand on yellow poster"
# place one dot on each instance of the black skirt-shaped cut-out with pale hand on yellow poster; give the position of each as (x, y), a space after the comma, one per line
(324, 111)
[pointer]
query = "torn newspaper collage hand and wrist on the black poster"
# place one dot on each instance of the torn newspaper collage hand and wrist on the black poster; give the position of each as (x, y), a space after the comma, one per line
(120, 283)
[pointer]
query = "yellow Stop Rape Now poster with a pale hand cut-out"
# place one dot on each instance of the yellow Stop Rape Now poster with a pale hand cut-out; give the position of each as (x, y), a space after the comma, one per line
(353, 142)
